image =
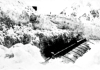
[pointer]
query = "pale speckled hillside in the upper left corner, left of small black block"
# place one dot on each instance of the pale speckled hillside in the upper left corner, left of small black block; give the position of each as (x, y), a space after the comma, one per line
(18, 11)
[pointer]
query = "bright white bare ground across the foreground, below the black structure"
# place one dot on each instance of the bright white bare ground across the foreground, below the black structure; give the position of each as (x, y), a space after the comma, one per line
(29, 58)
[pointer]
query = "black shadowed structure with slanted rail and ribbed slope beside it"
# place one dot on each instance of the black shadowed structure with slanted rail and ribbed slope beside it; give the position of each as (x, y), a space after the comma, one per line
(59, 46)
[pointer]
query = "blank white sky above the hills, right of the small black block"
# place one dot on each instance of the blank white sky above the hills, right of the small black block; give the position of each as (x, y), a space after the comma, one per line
(56, 6)
